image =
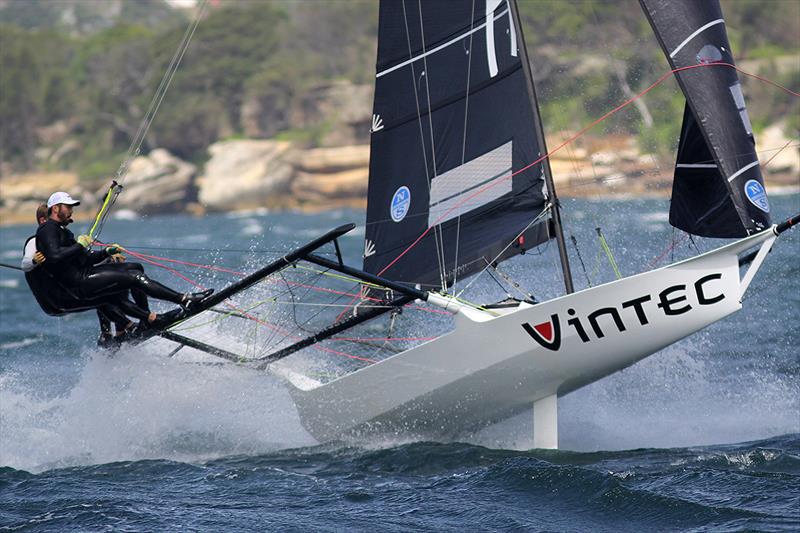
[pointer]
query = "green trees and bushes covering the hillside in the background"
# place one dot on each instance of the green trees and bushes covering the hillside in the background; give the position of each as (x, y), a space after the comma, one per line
(93, 67)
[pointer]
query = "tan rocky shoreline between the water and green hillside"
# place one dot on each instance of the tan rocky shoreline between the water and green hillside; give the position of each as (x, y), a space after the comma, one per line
(249, 173)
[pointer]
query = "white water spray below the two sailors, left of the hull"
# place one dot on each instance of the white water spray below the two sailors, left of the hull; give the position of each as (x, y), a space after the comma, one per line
(139, 404)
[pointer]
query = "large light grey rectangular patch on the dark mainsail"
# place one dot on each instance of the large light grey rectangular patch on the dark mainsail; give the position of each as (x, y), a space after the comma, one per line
(470, 185)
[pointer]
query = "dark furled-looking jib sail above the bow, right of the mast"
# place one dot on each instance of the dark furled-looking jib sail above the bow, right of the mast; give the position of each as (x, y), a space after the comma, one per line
(718, 189)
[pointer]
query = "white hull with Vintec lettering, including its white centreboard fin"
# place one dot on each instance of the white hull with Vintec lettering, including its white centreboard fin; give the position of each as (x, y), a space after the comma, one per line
(490, 368)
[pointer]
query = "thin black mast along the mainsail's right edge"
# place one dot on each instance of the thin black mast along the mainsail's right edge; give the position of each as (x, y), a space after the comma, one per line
(548, 176)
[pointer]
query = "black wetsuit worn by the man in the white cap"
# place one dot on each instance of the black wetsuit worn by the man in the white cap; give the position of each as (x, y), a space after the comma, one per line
(77, 270)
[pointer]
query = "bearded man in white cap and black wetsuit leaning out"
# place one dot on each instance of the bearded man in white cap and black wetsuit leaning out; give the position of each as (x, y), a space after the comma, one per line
(75, 267)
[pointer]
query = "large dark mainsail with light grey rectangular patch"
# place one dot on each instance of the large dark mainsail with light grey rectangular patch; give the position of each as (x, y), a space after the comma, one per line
(452, 121)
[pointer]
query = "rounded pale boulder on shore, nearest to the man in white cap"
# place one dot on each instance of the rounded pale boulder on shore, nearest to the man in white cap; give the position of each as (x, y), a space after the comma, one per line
(158, 183)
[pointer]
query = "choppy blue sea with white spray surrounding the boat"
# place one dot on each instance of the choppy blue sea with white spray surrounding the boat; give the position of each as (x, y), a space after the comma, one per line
(703, 436)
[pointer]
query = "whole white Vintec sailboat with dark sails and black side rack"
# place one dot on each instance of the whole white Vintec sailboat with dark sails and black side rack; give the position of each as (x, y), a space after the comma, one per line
(459, 182)
